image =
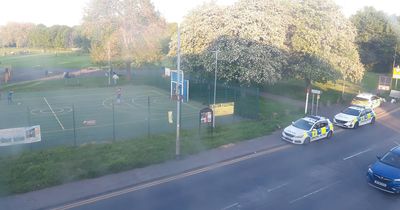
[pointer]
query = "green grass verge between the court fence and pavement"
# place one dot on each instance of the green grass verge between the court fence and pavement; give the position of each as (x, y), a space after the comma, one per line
(37, 170)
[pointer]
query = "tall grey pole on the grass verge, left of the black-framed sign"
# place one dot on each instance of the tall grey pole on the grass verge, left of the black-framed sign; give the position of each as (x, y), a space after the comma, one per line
(178, 102)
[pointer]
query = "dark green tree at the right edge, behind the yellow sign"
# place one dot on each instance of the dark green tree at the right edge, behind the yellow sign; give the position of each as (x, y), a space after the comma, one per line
(377, 38)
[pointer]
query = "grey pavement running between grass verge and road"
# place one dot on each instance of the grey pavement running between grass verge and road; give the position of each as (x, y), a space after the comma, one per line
(85, 189)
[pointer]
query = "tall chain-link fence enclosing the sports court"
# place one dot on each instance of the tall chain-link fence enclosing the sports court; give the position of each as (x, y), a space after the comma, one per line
(96, 117)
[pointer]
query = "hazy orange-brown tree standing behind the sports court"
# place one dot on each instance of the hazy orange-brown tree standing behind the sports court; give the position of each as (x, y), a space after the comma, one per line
(126, 31)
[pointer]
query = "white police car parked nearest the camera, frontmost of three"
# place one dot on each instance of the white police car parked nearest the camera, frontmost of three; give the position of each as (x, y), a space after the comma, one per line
(308, 129)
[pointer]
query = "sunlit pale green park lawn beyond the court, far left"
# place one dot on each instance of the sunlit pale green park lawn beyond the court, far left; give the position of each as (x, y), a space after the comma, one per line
(47, 61)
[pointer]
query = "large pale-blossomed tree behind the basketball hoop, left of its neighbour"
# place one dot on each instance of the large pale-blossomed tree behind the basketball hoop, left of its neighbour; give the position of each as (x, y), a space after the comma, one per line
(247, 53)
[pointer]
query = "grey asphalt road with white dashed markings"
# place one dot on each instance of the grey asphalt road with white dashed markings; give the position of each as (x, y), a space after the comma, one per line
(328, 174)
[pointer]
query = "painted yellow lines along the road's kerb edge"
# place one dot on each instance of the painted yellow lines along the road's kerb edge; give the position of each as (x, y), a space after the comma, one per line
(172, 178)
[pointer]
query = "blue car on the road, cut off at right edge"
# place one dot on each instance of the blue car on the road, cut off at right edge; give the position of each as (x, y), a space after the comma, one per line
(384, 174)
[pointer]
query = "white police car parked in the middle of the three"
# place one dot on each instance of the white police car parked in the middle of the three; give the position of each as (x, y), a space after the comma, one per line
(354, 116)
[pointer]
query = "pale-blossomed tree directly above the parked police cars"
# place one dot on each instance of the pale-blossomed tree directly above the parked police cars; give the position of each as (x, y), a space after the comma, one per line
(321, 42)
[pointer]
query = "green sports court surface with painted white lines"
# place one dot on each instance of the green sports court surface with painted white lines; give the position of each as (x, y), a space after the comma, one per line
(81, 116)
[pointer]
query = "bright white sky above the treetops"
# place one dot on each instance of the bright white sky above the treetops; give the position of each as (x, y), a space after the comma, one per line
(70, 12)
